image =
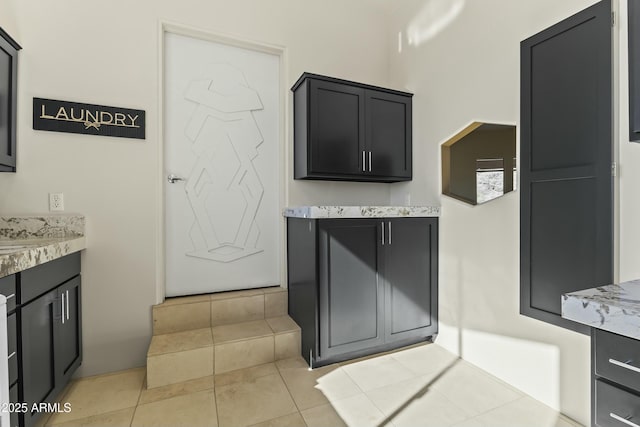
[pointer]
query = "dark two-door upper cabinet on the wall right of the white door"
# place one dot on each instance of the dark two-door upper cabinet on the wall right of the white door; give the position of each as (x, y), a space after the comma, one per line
(350, 131)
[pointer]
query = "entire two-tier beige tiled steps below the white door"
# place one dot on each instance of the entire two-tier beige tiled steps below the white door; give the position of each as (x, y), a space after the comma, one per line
(203, 335)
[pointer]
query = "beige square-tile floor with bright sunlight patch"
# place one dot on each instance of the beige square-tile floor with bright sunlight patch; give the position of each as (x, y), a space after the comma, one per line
(411, 387)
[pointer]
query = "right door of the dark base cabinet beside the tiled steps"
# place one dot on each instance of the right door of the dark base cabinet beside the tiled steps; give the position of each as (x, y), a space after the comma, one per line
(411, 272)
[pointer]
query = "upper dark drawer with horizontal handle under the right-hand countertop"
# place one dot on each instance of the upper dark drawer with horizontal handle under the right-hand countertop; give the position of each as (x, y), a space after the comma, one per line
(617, 358)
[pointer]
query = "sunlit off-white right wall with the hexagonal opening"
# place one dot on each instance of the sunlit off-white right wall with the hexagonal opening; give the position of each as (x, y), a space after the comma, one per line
(469, 70)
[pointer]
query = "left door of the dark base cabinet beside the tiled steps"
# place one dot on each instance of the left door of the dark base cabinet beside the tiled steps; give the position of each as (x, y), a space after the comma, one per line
(351, 297)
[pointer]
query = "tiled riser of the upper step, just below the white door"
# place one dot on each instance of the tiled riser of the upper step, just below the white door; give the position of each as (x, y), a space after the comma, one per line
(207, 311)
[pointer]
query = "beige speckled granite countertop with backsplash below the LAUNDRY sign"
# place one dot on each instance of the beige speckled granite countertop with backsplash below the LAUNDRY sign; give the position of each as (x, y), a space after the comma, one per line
(30, 240)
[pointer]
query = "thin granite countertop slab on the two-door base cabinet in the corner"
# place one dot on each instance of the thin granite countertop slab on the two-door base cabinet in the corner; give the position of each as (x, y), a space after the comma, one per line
(317, 212)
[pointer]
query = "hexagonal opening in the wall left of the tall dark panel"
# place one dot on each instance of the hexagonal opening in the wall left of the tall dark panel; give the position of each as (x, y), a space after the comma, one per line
(479, 163)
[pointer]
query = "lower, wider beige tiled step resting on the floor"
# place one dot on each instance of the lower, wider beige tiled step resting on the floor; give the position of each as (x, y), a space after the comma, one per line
(187, 355)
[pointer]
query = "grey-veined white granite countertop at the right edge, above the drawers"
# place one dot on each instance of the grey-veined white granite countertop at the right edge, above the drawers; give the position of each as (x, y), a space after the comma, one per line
(614, 308)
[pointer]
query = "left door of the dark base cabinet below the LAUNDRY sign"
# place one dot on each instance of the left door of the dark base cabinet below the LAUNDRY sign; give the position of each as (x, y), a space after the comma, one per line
(39, 319)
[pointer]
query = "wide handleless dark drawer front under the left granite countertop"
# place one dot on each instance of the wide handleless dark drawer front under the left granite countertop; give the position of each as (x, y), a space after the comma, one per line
(44, 277)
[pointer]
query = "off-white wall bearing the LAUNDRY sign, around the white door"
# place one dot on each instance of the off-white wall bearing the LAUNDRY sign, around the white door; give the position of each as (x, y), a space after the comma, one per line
(108, 54)
